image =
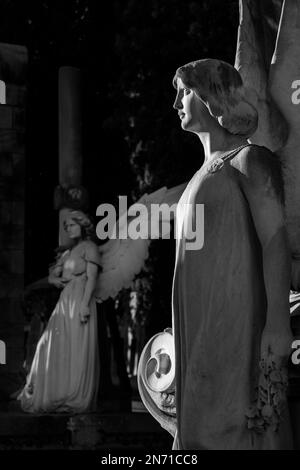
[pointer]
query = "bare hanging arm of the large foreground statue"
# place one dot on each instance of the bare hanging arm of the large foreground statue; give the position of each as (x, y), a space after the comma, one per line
(259, 178)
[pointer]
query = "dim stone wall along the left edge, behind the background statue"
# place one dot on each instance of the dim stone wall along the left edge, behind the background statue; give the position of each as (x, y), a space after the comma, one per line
(13, 68)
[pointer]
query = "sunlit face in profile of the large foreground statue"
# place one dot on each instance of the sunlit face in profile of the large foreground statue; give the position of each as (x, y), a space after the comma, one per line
(193, 113)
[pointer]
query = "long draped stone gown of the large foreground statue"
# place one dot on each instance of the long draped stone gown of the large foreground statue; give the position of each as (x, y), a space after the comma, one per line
(219, 311)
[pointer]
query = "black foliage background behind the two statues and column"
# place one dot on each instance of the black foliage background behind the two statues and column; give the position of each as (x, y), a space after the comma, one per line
(128, 51)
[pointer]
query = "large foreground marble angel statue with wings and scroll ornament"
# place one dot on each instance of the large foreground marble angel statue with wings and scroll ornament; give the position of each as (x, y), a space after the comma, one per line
(226, 346)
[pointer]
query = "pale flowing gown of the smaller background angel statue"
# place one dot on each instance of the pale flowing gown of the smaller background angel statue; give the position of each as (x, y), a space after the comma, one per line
(64, 374)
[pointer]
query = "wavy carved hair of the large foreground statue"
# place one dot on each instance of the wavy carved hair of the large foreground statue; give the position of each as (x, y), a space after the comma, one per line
(220, 87)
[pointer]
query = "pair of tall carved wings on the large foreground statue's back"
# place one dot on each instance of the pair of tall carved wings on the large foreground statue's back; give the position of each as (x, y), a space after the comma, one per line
(271, 67)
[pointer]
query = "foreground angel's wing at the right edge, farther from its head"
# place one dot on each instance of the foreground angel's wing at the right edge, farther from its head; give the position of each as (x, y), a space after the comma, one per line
(284, 70)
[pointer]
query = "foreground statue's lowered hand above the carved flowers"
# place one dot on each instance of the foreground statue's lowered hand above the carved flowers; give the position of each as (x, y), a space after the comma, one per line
(276, 342)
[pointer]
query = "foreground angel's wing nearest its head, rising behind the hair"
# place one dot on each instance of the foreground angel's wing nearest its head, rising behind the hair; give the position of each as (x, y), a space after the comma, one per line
(255, 45)
